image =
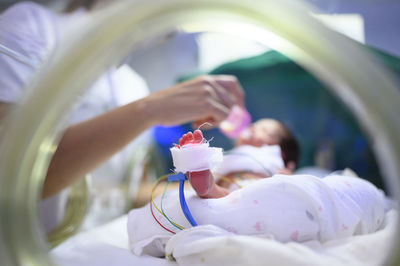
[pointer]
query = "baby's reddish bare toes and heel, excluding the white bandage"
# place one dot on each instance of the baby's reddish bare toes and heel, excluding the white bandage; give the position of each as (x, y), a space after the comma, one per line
(202, 181)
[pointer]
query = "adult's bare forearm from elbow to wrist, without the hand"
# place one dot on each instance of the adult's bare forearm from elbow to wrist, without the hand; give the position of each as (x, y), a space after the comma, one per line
(86, 145)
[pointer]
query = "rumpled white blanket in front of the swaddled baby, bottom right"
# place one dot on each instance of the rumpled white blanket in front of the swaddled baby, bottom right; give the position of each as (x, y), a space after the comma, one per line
(210, 245)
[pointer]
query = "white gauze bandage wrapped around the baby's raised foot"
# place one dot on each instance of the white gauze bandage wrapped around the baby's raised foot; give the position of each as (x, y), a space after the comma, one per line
(196, 157)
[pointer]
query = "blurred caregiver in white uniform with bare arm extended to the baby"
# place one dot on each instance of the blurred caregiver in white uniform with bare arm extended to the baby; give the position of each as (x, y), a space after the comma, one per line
(107, 118)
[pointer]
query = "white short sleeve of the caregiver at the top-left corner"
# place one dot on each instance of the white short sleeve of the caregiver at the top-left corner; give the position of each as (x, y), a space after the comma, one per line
(27, 36)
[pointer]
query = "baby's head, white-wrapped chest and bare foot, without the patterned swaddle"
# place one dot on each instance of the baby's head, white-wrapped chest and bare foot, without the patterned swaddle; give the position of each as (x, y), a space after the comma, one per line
(264, 149)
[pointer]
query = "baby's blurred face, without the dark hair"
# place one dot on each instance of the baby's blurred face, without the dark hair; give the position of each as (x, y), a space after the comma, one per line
(263, 132)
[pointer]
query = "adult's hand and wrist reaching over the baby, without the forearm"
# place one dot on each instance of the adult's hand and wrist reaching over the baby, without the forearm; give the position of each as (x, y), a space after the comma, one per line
(203, 99)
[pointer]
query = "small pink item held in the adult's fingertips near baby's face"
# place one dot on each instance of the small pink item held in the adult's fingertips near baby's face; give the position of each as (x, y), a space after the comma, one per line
(238, 120)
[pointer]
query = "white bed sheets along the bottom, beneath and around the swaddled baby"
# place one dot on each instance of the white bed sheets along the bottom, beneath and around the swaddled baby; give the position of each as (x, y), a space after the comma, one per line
(108, 245)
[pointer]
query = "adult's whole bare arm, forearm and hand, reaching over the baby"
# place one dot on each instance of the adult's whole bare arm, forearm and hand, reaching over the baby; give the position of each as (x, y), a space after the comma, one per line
(86, 145)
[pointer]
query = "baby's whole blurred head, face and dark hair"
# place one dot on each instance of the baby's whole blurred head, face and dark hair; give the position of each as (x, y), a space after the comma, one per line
(271, 132)
